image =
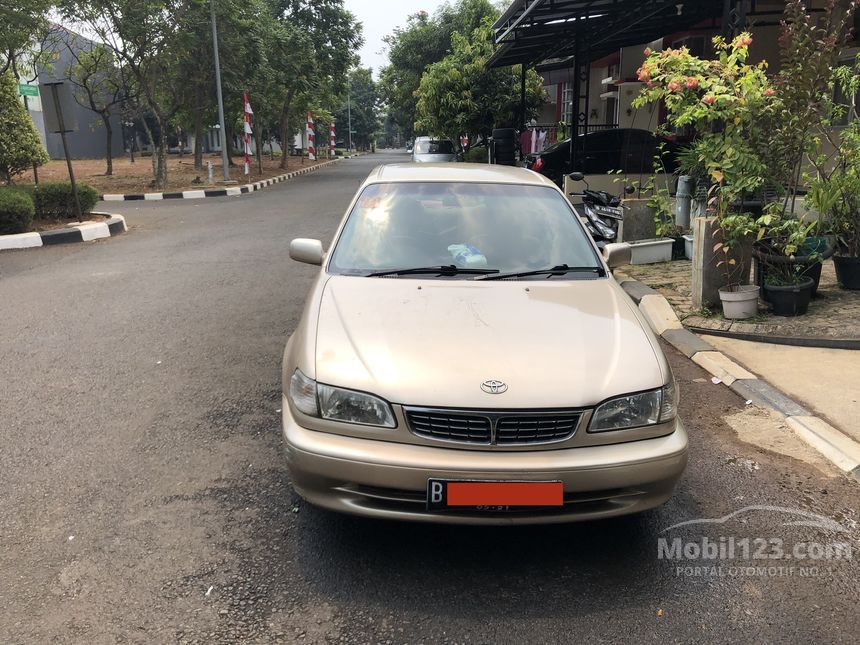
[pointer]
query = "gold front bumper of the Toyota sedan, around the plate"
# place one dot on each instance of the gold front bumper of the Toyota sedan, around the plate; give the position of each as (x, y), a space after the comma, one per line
(388, 480)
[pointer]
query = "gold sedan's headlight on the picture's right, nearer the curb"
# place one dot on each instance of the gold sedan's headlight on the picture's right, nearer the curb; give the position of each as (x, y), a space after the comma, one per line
(636, 410)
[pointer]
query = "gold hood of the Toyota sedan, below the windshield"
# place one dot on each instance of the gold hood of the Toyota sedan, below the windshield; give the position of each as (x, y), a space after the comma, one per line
(561, 343)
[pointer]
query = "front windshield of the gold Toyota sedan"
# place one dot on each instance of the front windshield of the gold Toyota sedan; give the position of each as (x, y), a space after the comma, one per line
(507, 228)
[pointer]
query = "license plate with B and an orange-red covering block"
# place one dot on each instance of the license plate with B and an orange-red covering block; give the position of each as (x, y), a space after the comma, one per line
(492, 495)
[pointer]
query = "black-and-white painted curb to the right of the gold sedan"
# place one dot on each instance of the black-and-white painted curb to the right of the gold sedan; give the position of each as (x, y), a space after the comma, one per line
(839, 449)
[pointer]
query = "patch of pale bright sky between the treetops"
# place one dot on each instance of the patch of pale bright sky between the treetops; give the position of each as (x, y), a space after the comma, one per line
(380, 17)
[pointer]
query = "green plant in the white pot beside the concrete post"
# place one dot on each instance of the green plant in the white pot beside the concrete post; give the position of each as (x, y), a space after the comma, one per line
(740, 301)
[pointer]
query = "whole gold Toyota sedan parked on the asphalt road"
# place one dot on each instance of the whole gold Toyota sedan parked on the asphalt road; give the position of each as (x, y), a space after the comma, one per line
(465, 355)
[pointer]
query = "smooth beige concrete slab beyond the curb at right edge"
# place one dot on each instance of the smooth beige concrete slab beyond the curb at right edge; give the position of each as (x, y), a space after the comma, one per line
(827, 381)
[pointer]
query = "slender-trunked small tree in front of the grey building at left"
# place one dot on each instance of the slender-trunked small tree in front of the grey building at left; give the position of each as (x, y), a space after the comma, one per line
(97, 82)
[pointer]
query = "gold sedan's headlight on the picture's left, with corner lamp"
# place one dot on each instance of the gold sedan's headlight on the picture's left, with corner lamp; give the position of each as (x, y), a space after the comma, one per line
(339, 404)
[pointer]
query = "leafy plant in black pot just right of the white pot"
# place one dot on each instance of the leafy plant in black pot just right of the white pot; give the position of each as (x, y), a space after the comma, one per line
(786, 286)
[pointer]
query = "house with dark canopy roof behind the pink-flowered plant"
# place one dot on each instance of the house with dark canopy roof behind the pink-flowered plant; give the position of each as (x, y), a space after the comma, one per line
(588, 51)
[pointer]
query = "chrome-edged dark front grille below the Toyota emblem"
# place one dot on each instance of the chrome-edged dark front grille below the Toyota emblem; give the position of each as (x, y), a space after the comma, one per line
(492, 428)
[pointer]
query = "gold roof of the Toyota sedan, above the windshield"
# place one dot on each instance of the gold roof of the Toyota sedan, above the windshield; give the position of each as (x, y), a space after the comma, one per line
(479, 173)
